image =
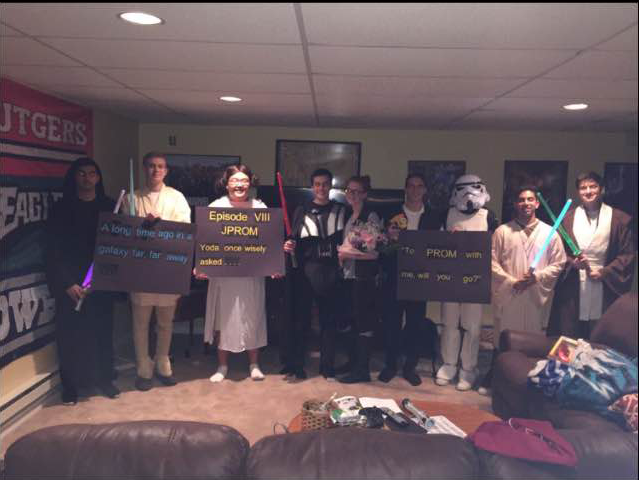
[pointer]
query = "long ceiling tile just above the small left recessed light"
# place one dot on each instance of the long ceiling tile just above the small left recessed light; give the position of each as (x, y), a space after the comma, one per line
(231, 82)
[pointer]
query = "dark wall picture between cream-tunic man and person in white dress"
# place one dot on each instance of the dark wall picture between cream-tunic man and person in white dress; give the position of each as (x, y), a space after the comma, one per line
(196, 176)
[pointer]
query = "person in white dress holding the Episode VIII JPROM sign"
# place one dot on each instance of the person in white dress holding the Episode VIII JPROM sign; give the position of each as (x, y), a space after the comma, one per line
(235, 306)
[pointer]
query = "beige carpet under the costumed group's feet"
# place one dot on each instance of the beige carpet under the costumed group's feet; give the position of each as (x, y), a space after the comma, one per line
(251, 407)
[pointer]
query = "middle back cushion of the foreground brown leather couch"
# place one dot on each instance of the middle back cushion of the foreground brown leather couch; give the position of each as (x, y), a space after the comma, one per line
(353, 452)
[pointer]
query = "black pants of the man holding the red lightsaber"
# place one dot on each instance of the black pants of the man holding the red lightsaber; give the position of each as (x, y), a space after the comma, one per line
(298, 319)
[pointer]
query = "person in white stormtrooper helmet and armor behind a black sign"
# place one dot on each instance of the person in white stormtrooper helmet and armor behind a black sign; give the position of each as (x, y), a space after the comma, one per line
(466, 214)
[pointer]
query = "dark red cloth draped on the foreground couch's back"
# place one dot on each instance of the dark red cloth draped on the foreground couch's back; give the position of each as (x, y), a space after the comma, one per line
(534, 440)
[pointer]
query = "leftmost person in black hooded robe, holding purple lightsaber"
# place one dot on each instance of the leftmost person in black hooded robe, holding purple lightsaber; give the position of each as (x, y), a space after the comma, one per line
(85, 337)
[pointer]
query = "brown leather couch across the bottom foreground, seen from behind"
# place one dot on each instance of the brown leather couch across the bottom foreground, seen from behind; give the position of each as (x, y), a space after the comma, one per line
(185, 450)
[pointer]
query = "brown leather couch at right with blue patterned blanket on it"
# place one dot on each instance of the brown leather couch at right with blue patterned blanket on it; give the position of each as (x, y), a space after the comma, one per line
(520, 351)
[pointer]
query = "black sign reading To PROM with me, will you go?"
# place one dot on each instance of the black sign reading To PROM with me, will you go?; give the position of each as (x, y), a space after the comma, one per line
(444, 266)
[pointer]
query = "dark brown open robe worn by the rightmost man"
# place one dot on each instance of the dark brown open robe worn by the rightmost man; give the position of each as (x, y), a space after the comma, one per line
(617, 274)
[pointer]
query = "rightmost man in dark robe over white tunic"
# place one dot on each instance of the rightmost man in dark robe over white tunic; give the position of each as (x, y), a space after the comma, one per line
(602, 271)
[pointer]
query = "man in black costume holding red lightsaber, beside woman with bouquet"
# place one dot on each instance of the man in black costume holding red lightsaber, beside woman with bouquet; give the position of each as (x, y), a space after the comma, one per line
(317, 228)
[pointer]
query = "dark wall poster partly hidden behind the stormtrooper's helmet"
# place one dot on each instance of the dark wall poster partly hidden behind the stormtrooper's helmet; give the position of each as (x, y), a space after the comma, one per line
(440, 177)
